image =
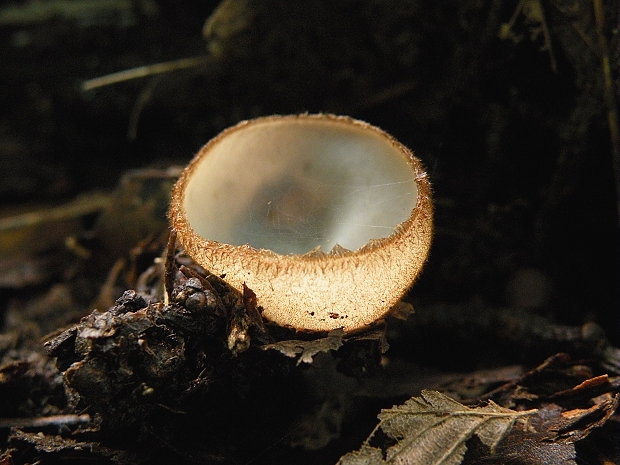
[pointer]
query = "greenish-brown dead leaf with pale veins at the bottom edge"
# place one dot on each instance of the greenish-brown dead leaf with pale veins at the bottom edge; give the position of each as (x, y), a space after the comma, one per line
(432, 430)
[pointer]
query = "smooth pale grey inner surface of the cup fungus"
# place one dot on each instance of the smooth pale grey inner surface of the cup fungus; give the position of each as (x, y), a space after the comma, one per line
(292, 185)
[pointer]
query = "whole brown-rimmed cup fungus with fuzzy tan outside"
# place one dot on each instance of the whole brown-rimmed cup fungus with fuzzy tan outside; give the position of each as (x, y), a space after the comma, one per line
(326, 218)
